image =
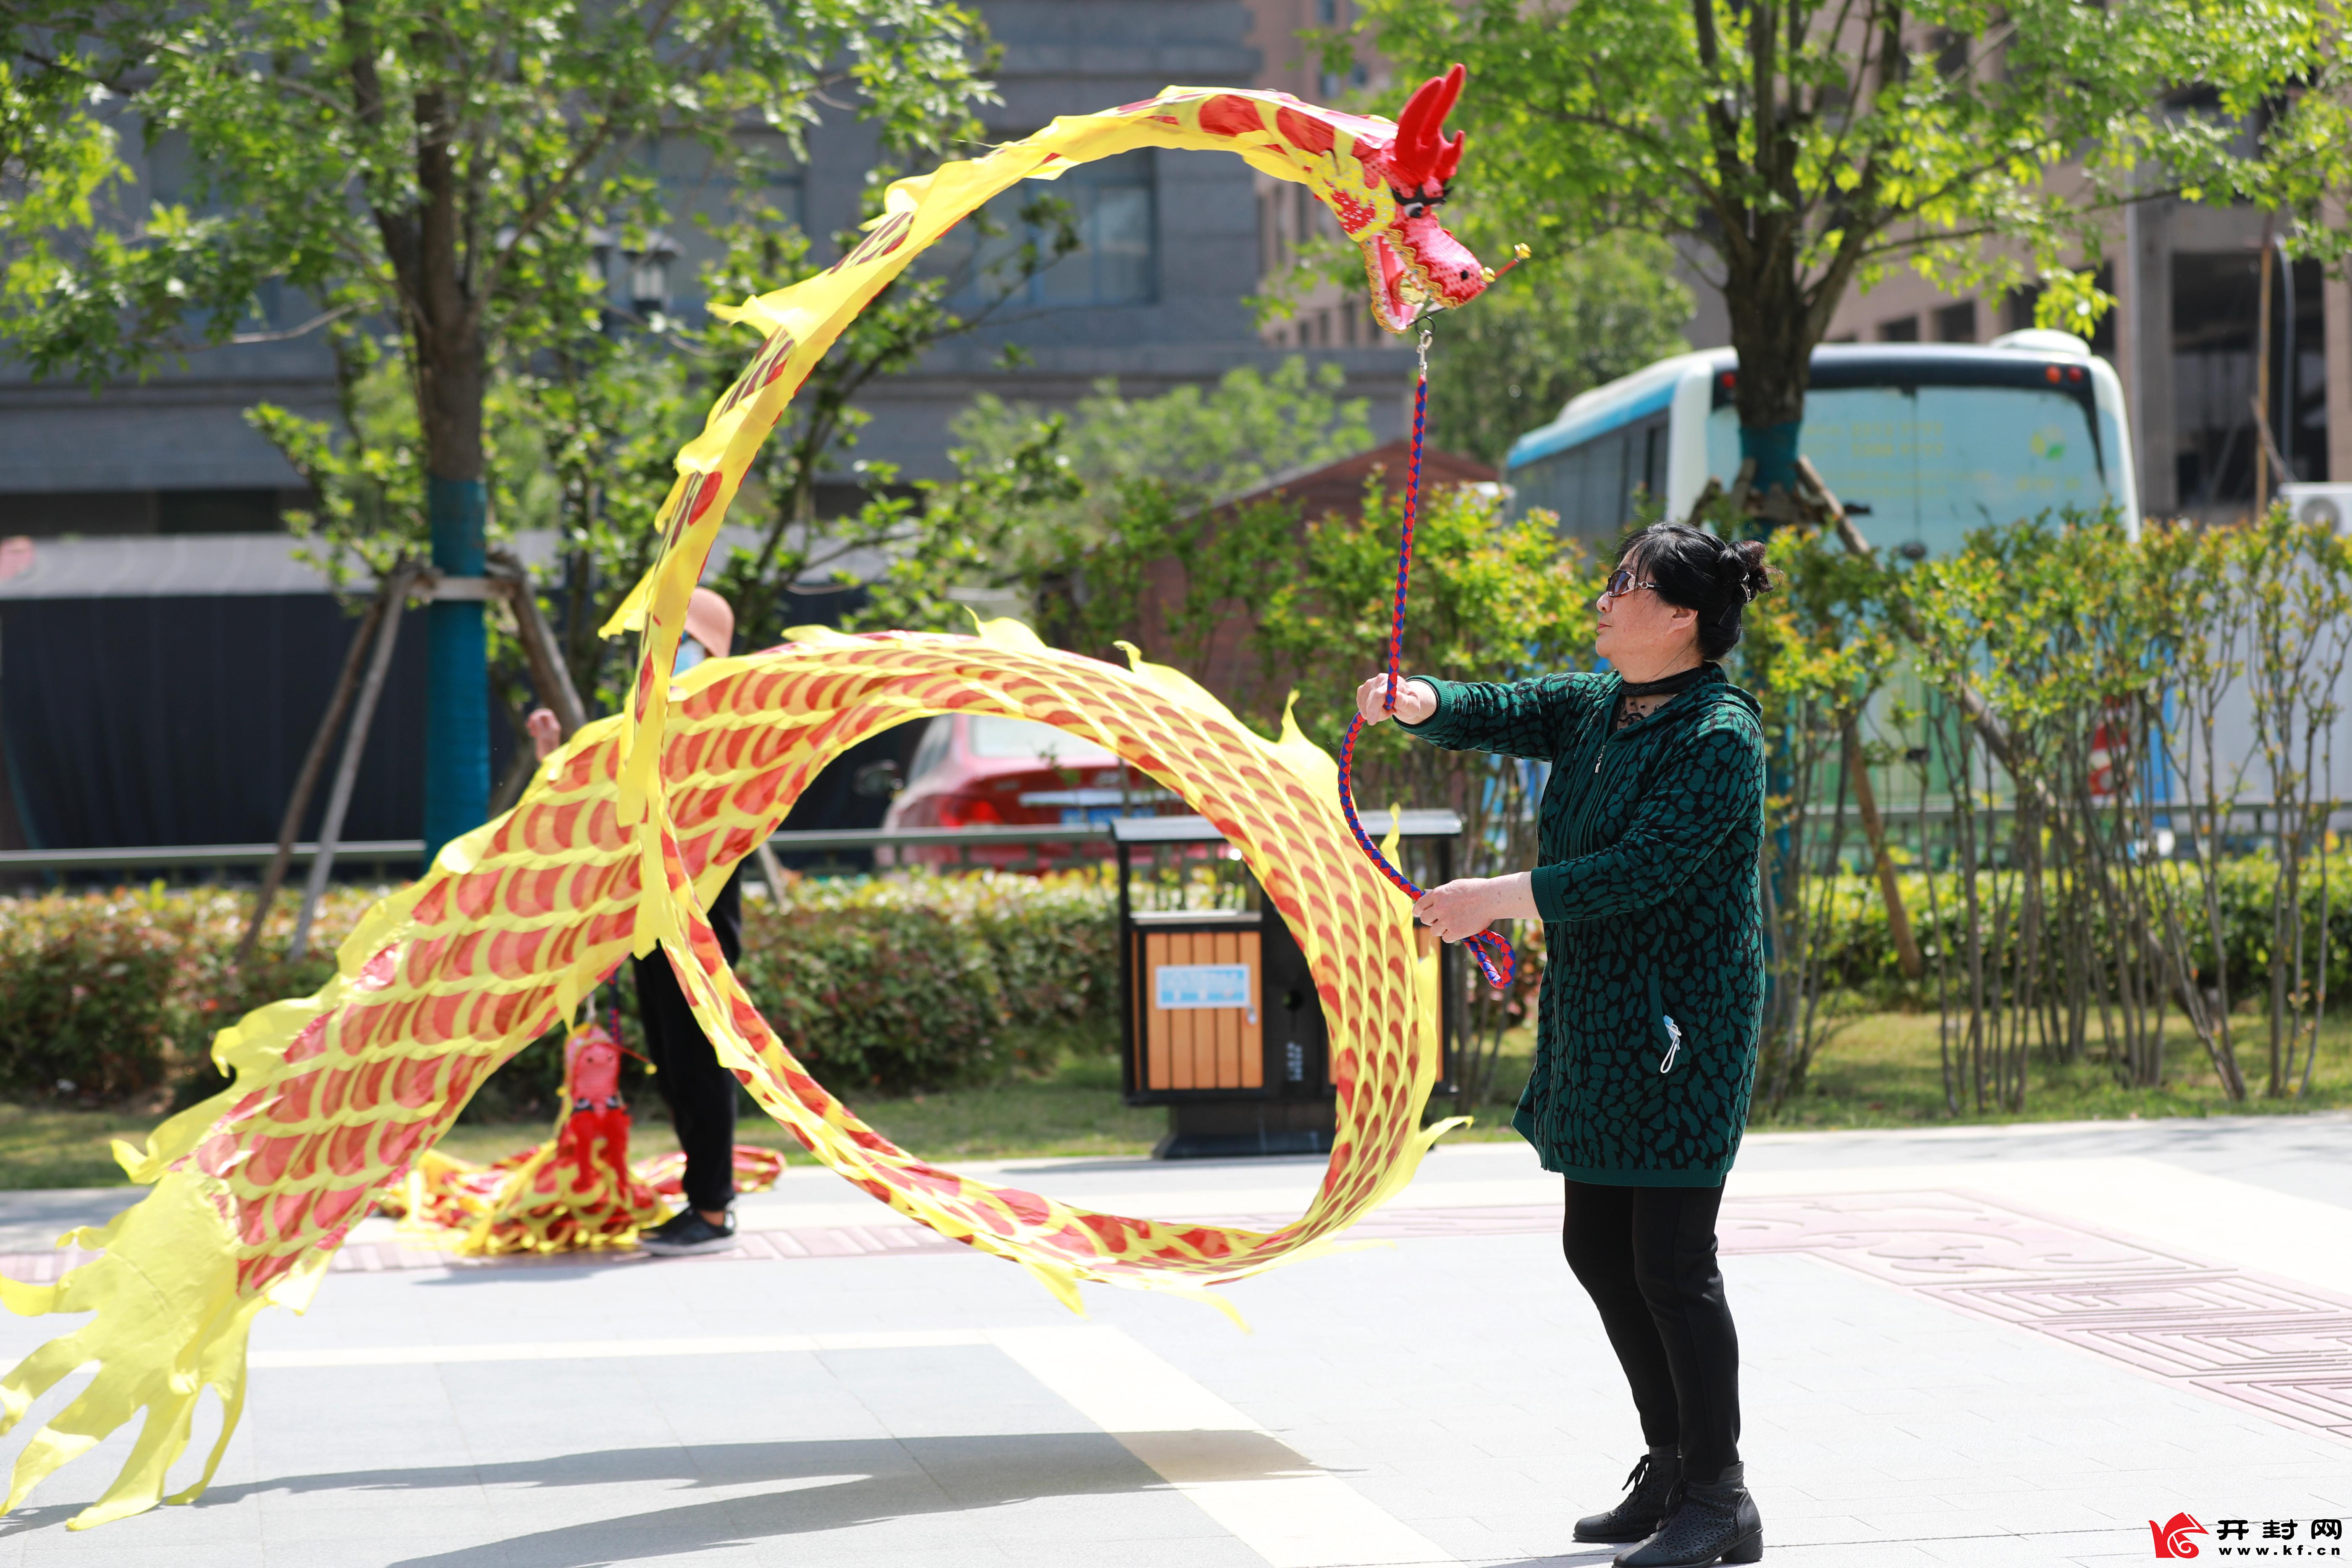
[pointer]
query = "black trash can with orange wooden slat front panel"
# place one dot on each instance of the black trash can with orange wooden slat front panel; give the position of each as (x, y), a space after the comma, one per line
(1220, 1012)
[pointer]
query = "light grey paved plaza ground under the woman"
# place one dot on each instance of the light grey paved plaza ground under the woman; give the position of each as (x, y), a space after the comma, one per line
(1965, 1346)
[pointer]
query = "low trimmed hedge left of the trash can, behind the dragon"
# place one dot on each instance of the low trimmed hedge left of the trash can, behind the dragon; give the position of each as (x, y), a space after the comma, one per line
(881, 986)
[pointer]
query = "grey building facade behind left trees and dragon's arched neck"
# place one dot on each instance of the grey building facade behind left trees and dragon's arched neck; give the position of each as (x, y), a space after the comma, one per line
(1154, 300)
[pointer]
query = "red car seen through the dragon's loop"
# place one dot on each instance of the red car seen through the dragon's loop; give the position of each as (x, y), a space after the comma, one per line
(991, 772)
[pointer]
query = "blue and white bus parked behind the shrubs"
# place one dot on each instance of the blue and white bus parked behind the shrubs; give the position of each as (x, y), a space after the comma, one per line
(1923, 443)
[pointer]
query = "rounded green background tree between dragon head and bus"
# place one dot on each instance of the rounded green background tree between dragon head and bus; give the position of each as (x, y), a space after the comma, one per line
(1546, 333)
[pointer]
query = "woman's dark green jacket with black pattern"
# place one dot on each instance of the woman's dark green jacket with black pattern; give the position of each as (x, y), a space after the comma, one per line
(1648, 887)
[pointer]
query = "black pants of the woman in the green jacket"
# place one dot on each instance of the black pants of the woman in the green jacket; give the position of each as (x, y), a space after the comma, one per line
(1648, 1261)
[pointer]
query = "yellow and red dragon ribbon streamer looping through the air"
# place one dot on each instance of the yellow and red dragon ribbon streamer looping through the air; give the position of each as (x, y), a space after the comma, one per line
(641, 817)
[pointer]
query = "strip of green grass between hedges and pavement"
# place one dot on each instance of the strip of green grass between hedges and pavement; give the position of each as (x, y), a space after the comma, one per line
(1878, 1071)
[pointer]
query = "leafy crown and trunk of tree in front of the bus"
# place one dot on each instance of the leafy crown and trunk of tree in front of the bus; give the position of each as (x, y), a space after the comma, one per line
(1805, 149)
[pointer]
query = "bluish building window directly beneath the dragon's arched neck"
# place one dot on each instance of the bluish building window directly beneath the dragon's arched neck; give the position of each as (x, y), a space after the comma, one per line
(1118, 243)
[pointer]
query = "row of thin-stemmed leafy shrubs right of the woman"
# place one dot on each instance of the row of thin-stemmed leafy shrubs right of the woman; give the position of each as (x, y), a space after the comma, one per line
(2087, 869)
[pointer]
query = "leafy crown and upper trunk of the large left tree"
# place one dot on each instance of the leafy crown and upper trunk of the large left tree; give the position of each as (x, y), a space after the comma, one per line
(453, 173)
